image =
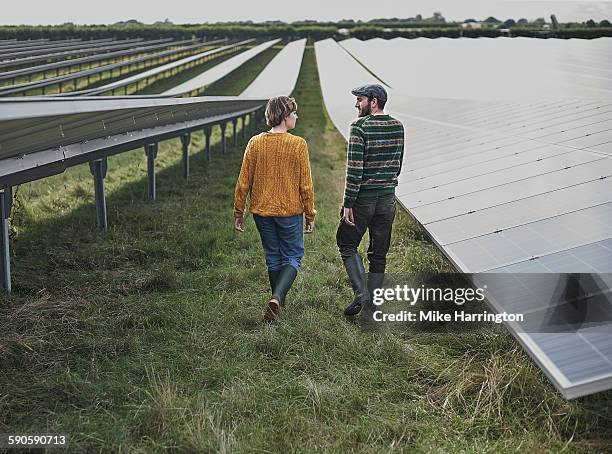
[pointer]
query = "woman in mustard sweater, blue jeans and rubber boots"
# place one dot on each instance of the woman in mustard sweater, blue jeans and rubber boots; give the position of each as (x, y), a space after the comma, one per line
(275, 173)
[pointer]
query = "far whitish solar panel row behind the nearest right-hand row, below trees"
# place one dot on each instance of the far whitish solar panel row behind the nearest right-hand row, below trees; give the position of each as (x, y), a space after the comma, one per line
(491, 68)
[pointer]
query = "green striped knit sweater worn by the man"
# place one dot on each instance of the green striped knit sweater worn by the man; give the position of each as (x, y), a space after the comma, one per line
(374, 157)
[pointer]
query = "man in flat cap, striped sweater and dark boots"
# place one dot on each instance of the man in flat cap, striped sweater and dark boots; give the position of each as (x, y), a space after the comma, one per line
(374, 161)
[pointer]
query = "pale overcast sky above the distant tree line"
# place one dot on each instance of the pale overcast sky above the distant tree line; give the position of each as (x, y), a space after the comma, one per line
(197, 11)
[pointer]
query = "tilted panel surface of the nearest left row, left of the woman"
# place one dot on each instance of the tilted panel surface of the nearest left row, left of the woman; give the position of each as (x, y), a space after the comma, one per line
(29, 125)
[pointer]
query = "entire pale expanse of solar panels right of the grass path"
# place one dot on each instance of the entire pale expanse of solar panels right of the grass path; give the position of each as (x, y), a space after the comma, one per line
(514, 184)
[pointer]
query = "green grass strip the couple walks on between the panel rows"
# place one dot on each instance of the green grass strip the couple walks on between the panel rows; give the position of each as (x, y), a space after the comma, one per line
(149, 338)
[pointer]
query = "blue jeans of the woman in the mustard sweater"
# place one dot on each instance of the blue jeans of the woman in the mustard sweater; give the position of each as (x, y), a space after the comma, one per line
(282, 239)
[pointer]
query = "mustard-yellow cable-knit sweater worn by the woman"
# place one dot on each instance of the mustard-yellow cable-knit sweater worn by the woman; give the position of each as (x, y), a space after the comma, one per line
(276, 172)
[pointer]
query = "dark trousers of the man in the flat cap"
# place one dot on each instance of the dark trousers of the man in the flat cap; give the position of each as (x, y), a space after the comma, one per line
(375, 214)
